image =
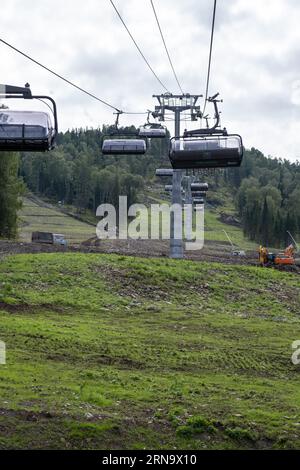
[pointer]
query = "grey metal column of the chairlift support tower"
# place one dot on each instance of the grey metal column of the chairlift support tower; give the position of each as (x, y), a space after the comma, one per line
(176, 244)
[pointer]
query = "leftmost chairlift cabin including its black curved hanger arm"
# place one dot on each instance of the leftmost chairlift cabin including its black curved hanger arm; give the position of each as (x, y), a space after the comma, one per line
(27, 130)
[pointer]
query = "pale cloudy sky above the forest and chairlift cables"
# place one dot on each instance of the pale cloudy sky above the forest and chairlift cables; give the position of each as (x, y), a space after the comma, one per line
(256, 60)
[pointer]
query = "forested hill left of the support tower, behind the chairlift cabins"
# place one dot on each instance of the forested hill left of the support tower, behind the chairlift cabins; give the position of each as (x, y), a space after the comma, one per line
(77, 173)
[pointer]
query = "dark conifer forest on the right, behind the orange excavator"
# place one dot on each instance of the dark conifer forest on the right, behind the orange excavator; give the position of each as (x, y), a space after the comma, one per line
(267, 198)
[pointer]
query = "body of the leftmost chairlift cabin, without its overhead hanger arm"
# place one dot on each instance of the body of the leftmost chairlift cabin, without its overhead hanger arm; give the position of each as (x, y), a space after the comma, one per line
(25, 131)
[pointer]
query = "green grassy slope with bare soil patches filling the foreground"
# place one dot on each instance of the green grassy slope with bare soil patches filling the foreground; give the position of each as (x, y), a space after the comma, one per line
(105, 351)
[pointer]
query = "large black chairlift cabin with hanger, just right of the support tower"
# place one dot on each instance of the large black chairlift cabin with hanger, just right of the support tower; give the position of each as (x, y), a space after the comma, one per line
(207, 147)
